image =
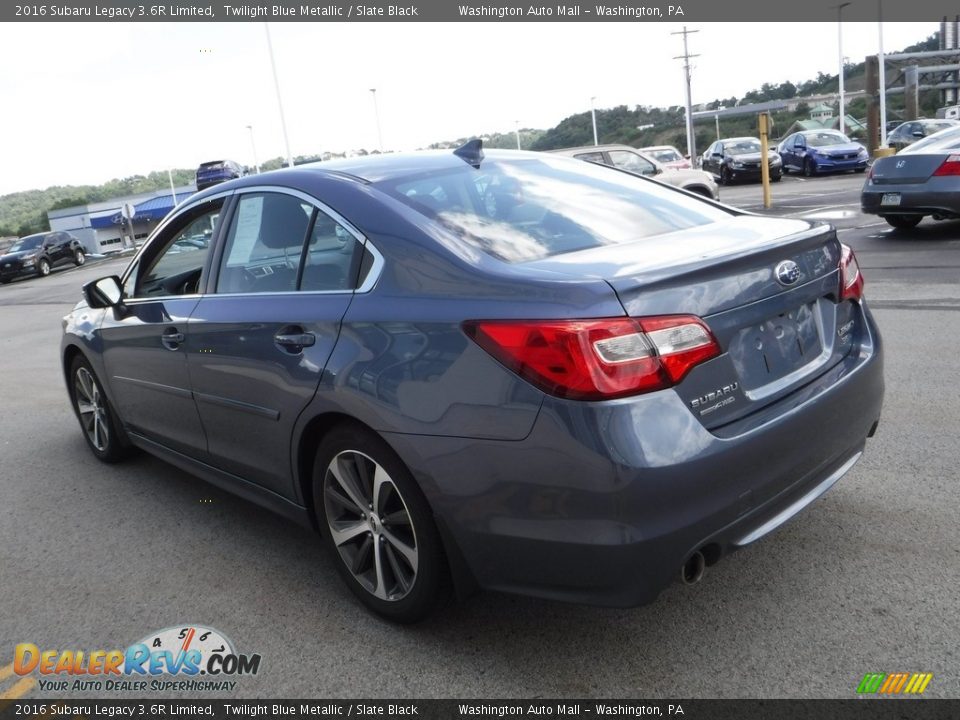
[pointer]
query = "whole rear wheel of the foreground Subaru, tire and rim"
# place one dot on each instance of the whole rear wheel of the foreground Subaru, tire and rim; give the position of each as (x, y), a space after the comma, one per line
(389, 552)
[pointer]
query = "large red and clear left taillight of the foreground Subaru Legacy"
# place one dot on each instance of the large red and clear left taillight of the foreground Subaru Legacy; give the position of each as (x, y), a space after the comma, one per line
(598, 359)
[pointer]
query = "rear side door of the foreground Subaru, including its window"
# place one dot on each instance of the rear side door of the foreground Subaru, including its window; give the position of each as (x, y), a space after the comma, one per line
(263, 333)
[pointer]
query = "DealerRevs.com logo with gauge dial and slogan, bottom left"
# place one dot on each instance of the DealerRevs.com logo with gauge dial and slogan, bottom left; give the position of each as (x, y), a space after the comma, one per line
(180, 658)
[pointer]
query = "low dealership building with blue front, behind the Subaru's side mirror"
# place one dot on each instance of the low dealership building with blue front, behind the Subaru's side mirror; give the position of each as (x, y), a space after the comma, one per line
(101, 226)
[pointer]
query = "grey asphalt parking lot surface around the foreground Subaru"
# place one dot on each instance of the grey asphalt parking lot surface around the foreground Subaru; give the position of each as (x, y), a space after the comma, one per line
(866, 580)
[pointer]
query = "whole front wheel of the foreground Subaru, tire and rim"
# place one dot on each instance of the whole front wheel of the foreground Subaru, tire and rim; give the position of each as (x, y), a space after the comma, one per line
(101, 429)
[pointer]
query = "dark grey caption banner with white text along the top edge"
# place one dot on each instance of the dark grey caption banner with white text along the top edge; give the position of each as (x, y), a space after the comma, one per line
(686, 11)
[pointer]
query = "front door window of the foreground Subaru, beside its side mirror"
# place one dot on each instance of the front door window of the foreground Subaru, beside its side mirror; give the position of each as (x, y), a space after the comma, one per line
(176, 265)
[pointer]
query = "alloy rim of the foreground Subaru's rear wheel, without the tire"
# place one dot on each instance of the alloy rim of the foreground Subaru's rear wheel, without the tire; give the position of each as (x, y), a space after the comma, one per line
(370, 525)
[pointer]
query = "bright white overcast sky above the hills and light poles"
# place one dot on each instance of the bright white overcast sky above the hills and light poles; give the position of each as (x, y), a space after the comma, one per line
(87, 102)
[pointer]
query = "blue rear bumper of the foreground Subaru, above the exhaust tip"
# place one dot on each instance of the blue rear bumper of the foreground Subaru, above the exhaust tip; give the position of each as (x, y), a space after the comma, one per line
(603, 502)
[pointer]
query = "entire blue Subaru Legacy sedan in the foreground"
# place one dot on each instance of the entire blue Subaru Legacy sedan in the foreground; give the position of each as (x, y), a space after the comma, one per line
(508, 371)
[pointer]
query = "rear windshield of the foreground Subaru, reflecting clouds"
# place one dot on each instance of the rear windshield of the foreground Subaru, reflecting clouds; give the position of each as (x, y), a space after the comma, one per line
(529, 209)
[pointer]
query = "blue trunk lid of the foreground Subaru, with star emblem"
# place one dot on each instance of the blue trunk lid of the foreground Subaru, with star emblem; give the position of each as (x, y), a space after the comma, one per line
(767, 289)
